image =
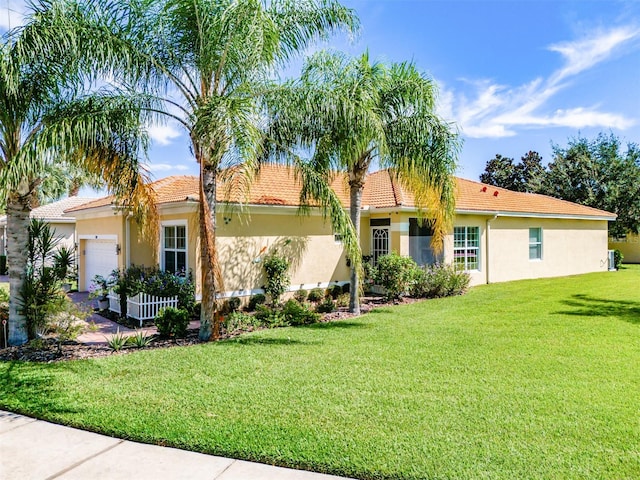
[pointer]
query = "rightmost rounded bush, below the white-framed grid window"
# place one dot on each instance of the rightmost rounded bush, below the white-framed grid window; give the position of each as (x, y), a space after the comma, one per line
(439, 280)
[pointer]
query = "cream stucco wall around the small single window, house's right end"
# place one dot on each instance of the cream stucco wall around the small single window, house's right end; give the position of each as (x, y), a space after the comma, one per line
(569, 247)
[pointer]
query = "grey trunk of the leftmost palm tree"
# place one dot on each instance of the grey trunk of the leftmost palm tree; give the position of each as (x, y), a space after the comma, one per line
(18, 210)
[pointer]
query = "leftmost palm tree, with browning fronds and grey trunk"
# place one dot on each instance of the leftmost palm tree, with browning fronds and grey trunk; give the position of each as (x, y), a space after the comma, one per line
(45, 118)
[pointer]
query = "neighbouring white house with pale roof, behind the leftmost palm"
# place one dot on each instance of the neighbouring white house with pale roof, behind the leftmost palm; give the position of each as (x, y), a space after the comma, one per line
(52, 213)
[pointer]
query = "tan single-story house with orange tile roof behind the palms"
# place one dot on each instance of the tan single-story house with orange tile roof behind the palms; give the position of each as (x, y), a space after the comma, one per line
(498, 235)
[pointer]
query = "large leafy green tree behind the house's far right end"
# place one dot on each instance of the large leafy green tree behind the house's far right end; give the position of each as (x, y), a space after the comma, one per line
(597, 173)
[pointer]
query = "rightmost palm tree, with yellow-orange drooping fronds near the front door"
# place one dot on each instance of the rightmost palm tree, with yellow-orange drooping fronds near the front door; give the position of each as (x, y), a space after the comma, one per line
(350, 112)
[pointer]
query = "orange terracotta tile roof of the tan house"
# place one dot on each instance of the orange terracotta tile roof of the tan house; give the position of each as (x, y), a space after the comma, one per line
(276, 185)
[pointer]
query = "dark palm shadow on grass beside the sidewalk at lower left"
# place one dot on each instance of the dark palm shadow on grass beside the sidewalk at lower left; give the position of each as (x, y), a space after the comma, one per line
(31, 388)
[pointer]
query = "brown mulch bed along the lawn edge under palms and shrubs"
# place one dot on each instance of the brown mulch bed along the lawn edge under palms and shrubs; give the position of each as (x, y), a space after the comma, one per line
(48, 351)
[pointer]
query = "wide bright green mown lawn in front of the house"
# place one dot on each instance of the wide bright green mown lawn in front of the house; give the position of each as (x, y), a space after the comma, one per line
(531, 379)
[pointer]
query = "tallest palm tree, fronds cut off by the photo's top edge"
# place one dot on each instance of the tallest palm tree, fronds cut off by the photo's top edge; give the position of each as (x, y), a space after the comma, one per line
(206, 62)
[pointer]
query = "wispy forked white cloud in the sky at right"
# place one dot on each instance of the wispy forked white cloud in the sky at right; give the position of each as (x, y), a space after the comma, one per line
(495, 110)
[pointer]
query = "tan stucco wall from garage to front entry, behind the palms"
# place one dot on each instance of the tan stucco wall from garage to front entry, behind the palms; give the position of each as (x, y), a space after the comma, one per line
(308, 242)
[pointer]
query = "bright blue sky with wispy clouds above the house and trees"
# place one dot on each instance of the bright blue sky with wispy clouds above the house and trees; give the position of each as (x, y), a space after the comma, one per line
(513, 76)
